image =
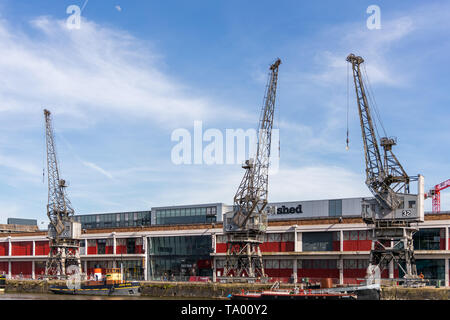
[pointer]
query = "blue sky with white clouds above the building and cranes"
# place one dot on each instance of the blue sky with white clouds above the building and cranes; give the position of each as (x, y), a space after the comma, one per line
(136, 71)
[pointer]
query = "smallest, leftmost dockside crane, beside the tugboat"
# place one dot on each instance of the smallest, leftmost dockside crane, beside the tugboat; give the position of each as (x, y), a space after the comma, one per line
(63, 232)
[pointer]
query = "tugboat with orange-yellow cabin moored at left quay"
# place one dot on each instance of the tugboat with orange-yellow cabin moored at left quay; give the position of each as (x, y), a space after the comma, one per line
(111, 285)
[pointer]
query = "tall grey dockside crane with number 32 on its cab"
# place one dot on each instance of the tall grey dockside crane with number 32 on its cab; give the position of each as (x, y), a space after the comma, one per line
(394, 213)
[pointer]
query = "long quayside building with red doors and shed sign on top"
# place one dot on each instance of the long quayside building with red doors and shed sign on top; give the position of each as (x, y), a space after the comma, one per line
(305, 239)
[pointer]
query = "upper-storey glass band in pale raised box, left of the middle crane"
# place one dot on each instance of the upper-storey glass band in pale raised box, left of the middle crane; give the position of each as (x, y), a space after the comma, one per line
(186, 215)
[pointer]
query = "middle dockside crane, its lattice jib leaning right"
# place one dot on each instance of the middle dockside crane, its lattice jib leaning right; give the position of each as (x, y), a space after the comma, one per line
(247, 223)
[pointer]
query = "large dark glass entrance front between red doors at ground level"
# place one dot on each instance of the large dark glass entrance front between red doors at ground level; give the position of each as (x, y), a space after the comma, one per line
(179, 257)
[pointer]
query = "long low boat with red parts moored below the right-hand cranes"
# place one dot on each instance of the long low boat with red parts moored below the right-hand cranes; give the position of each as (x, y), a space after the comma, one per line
(361, 292)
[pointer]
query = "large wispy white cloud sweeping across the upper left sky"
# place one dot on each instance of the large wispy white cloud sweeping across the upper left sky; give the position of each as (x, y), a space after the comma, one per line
(90, 72)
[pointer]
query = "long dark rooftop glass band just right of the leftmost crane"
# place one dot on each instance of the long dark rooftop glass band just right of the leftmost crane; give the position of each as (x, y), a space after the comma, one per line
(114, 220)
